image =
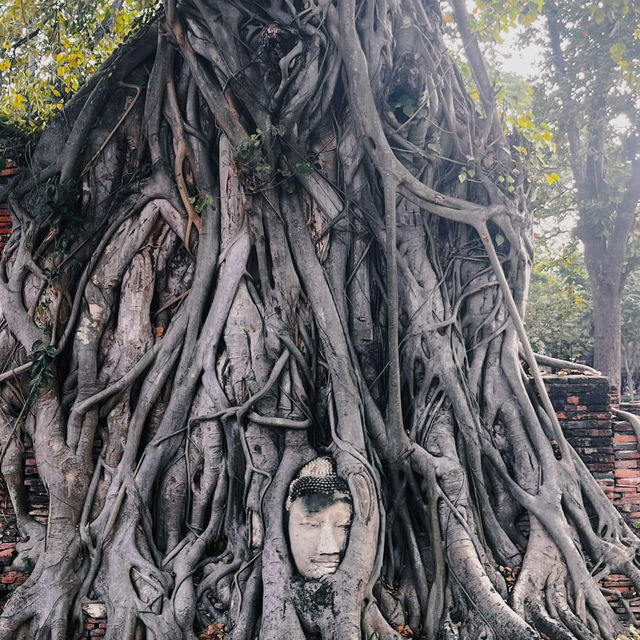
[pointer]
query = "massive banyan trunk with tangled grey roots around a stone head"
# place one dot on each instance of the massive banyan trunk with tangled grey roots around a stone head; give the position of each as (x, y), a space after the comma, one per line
(272, 261)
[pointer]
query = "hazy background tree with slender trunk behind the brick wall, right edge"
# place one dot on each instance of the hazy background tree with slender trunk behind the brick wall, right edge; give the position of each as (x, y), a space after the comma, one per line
(594, 57)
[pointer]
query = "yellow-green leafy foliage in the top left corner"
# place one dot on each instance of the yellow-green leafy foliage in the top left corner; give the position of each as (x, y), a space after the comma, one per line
(47, 50)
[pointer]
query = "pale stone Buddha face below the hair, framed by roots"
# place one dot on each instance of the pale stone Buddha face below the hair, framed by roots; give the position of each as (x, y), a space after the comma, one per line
(318, 533)
